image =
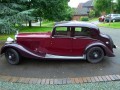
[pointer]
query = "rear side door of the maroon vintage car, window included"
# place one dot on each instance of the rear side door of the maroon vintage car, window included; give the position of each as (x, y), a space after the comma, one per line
(80, 40)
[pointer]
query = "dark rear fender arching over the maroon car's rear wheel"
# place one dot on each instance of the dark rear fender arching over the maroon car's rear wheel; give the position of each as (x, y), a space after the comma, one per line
(106, 50)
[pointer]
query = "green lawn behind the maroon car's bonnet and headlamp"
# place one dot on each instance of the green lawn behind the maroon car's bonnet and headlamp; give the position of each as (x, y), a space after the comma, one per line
(27, 29)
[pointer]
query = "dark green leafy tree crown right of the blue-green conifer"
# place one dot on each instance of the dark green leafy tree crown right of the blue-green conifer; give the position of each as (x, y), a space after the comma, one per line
(52, 9)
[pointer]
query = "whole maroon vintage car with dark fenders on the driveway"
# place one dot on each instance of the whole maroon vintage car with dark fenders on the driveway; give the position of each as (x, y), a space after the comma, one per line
(68, 40)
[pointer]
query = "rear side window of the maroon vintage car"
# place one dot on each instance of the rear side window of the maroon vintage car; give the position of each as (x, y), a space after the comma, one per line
(82, 31)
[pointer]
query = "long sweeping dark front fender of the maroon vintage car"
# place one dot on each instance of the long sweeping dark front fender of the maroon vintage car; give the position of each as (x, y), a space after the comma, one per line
(22, 51)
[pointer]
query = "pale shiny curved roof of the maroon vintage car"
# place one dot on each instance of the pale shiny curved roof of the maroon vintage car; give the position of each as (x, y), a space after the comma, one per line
(76, 24)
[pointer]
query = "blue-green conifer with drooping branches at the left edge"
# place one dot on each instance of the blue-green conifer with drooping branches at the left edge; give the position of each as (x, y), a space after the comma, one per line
(12, 13)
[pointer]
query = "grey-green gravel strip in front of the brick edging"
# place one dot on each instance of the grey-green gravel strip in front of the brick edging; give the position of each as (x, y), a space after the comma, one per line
(87, 86)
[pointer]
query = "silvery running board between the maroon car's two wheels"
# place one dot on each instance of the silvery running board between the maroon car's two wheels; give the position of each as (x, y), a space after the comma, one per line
(64, 57)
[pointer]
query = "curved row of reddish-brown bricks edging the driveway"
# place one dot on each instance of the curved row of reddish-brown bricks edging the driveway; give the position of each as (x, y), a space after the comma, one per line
(61, 81)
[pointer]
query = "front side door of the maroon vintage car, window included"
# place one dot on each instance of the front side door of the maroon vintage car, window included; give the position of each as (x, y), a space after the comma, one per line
(61, 42)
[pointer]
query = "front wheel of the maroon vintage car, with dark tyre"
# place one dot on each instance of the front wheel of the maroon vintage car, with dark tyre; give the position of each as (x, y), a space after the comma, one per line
(12, 56)
